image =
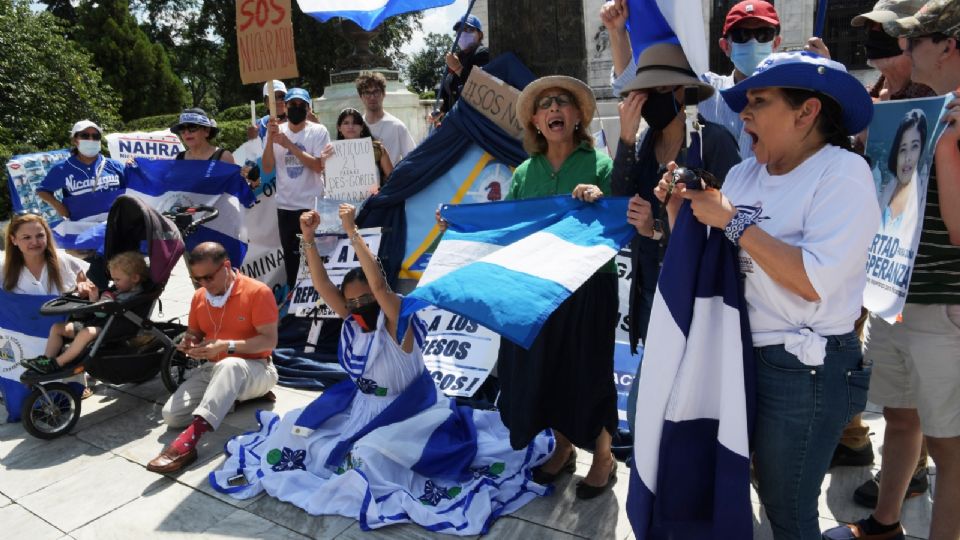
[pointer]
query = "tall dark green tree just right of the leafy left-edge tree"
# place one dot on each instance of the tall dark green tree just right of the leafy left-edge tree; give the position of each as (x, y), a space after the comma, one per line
(138, 69)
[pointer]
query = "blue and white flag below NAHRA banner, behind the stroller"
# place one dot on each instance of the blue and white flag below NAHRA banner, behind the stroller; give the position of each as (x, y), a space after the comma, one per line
(164, 184)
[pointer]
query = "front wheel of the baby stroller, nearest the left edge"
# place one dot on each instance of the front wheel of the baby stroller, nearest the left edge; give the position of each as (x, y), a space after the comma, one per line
(50, 410)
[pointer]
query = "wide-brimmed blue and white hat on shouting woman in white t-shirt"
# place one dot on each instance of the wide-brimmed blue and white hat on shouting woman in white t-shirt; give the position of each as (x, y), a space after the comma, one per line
(806, 71)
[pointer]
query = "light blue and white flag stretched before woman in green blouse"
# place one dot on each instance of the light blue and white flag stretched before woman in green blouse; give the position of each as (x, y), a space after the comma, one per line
(508, 265)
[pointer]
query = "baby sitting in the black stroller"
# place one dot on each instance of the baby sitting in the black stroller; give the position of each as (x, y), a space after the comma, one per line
(129, 273)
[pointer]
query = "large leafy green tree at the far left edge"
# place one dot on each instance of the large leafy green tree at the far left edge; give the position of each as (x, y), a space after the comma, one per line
(46, 84)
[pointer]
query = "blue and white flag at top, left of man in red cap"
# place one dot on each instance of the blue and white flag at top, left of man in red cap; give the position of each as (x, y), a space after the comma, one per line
(673, 21)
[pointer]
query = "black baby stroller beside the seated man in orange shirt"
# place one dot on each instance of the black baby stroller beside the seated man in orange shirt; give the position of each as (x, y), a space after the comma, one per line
(130, 348)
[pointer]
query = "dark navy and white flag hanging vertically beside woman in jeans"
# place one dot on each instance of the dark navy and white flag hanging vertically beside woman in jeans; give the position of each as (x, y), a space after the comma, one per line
(691, 472)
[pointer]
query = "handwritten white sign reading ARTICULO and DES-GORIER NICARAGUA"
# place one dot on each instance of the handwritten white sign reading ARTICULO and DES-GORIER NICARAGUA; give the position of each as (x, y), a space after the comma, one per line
(350, 174)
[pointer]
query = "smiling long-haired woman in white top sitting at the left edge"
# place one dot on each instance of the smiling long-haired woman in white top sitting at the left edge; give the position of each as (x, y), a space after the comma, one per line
(32, 264)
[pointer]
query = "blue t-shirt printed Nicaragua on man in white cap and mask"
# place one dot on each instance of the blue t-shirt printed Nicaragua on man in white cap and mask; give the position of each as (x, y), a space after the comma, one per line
(87, 190)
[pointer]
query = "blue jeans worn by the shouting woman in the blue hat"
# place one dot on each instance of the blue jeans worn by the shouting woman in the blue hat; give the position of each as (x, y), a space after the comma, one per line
(800, 414)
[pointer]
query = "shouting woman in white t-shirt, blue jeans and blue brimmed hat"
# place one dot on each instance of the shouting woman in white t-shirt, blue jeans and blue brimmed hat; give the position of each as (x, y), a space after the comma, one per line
(803, 212)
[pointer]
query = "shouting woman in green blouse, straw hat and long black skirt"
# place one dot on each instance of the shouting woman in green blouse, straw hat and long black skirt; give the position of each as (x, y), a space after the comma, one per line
(565, 380)
